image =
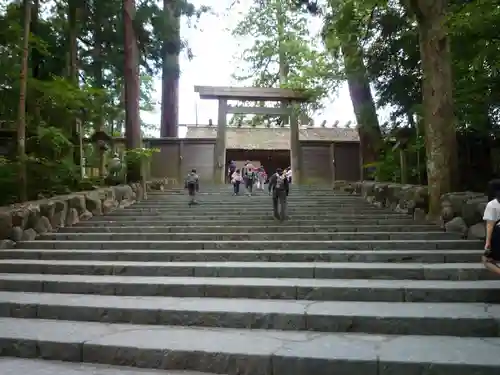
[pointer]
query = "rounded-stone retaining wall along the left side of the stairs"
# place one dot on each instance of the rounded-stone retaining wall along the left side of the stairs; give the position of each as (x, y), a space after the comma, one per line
(25, 221)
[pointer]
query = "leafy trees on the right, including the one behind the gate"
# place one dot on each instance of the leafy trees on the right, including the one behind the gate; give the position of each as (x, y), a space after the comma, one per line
(431, 66)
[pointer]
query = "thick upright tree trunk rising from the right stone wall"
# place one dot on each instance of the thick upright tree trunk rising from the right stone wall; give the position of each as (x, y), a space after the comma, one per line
(439, 119)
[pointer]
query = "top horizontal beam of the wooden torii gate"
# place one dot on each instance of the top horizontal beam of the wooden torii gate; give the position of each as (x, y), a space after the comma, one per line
(250, 93)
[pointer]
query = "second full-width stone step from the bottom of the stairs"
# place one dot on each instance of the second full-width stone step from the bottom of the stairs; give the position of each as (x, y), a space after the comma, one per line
(393, 318)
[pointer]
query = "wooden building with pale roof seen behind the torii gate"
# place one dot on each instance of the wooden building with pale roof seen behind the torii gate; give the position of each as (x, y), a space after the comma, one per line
(270, 147)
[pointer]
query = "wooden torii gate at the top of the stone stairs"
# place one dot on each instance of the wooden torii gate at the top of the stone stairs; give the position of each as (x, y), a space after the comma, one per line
(289, 100)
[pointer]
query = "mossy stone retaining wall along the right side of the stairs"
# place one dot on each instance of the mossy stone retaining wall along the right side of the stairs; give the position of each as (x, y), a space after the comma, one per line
(460, 212)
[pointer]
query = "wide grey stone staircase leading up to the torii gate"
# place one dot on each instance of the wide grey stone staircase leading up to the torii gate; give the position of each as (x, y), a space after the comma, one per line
(342, 288)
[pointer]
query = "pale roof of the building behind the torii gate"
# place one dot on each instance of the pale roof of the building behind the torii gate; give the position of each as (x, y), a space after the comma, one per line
(272, 138)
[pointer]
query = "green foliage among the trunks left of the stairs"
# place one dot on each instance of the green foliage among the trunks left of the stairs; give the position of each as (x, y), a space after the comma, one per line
(90, 93)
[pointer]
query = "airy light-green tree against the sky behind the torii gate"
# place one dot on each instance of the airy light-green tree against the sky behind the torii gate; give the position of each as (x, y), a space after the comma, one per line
(284, 53)
